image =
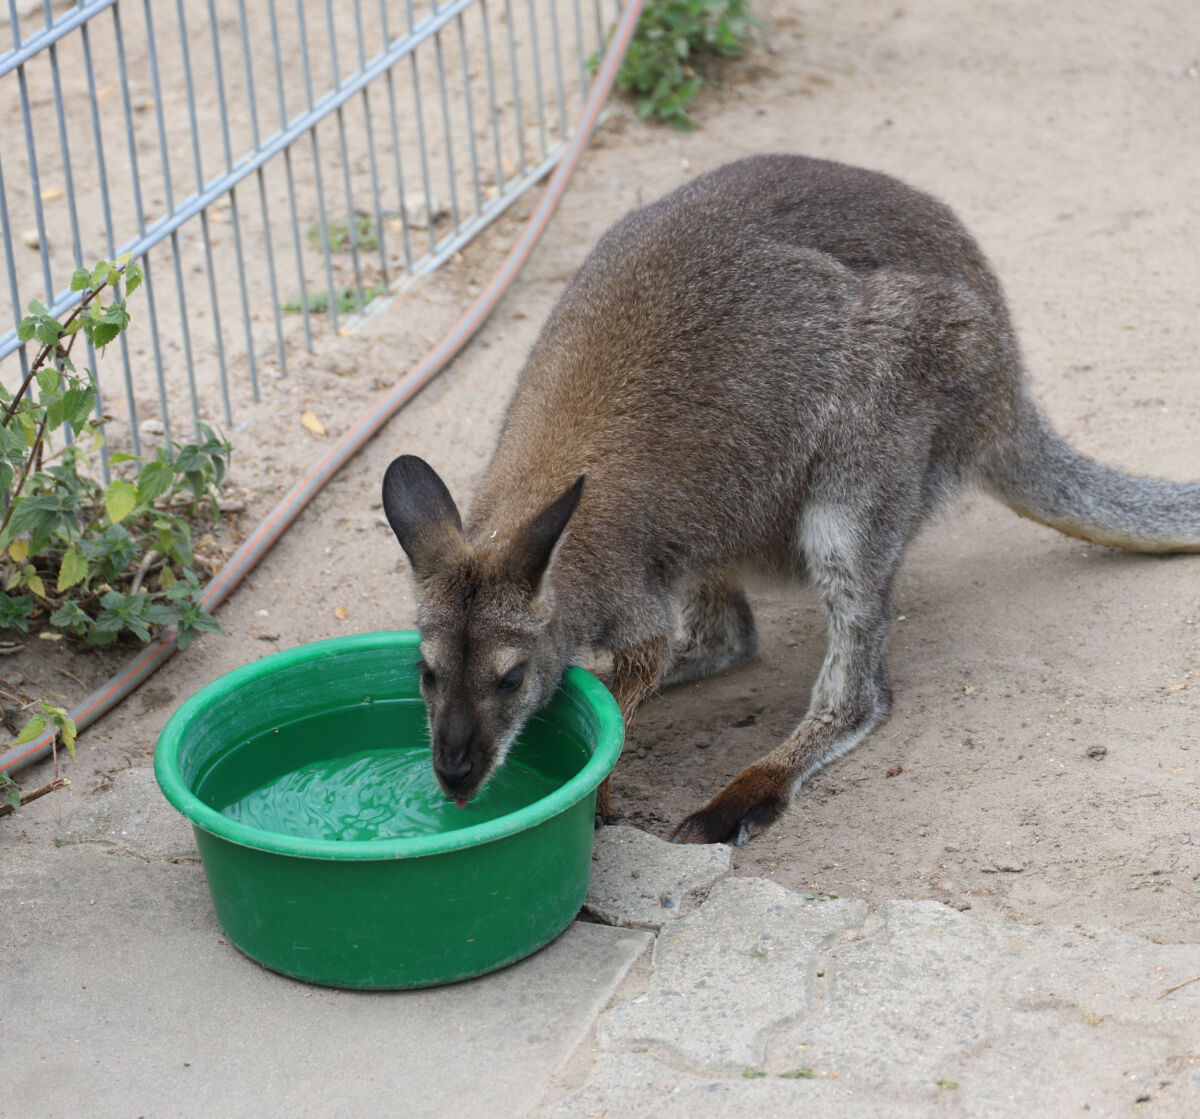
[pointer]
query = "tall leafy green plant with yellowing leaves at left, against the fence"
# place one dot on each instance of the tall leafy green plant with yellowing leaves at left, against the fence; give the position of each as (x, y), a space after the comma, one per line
(93, 560)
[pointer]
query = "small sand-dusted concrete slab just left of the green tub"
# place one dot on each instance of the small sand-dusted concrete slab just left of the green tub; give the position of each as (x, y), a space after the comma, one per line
(131, 818)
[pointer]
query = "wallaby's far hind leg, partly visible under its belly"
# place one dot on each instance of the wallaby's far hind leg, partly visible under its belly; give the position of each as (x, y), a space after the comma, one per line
(716, 632)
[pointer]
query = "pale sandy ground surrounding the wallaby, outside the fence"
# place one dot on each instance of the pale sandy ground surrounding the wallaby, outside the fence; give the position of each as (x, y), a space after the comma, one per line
(1047, 692)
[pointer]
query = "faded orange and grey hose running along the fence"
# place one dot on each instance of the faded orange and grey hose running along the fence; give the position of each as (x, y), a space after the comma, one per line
(278, 522)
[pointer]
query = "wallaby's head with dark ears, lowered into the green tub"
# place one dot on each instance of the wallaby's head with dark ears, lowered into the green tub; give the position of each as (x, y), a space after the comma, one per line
(489, 655)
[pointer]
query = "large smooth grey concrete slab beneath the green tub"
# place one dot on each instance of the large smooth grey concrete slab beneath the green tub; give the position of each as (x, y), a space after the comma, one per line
(123, 998)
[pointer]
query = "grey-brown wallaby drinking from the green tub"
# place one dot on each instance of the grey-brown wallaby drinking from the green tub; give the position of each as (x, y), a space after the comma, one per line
(784, 366)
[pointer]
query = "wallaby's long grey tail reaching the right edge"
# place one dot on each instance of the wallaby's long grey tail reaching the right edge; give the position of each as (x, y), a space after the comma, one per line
(1040, 476)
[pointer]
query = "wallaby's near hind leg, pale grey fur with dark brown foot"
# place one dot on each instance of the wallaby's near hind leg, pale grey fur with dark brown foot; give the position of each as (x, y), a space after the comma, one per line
(851, 560)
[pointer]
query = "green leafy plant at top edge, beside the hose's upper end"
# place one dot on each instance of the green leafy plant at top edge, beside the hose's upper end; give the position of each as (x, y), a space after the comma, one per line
(659, 67)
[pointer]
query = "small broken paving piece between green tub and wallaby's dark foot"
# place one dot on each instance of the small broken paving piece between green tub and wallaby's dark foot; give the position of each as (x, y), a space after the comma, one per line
(643, 882)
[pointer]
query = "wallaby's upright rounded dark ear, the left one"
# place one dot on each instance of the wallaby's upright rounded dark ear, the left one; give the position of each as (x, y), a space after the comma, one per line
(422, 513)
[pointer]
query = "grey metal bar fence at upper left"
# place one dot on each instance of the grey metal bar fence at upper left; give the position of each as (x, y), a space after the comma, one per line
(274, 167)
